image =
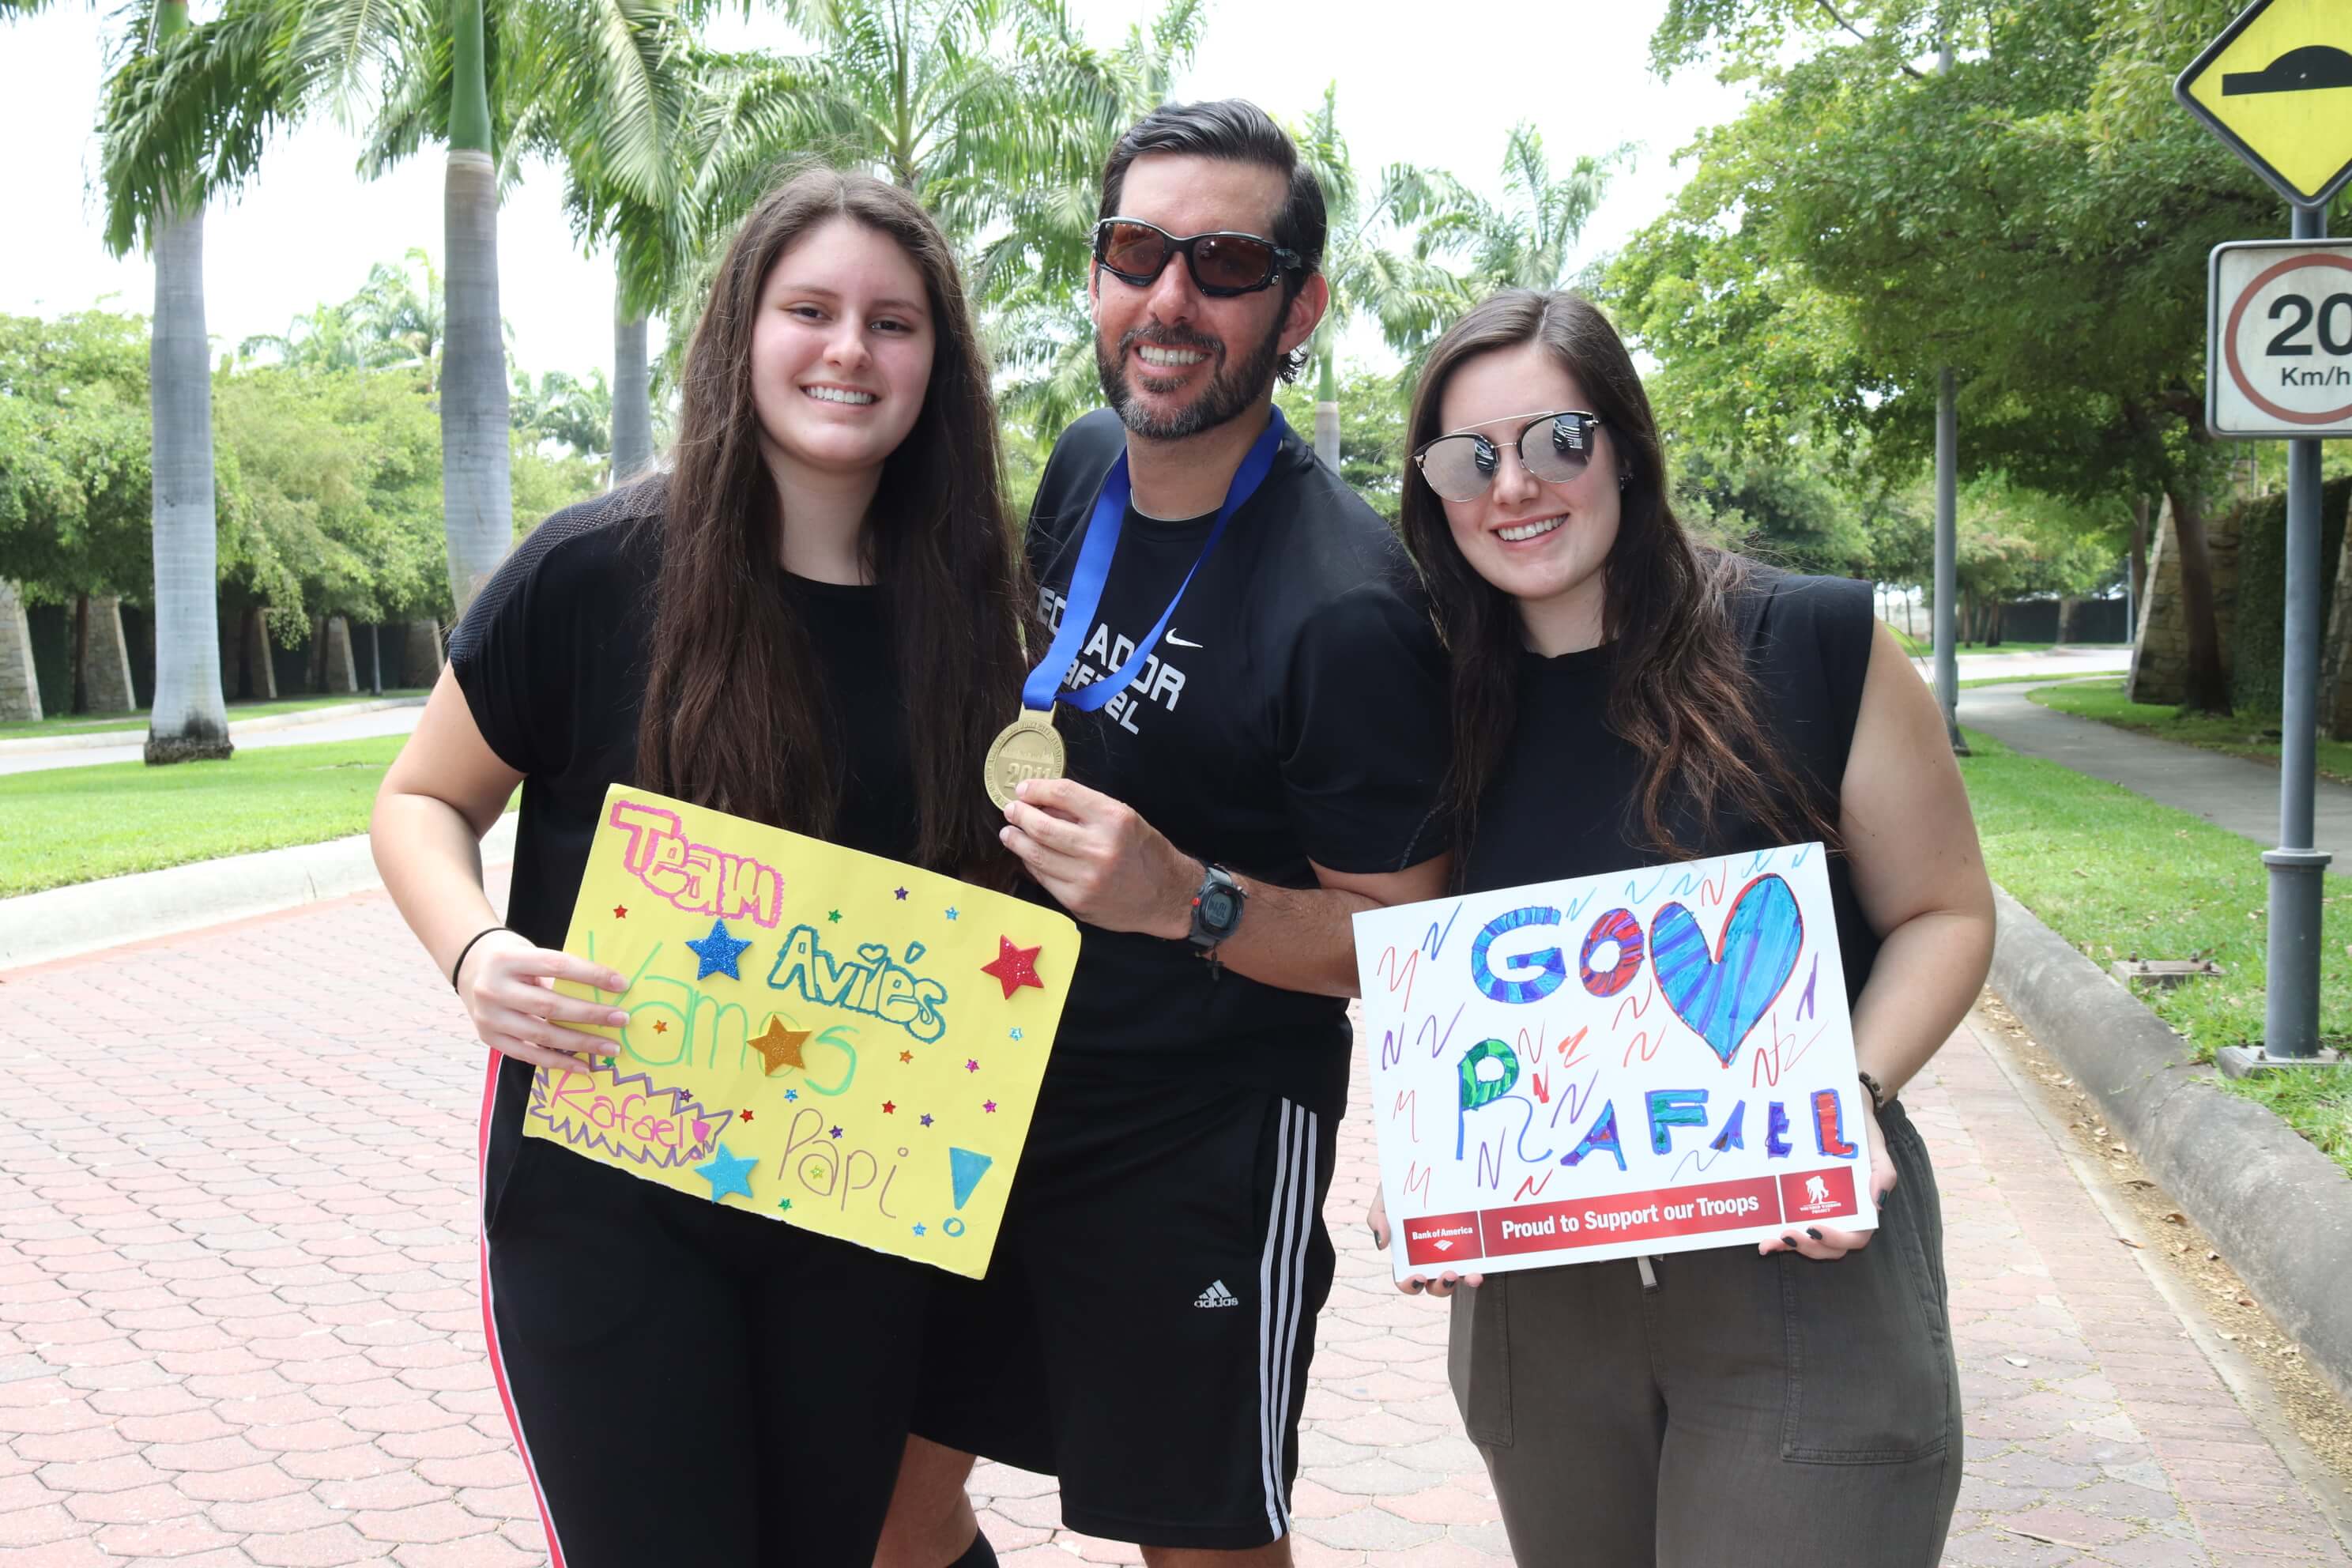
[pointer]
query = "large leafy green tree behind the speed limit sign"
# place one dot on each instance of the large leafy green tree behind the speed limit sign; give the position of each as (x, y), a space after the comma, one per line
(2036, 217)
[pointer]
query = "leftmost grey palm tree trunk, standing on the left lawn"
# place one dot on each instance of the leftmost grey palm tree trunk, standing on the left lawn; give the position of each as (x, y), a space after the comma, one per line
(189, 721)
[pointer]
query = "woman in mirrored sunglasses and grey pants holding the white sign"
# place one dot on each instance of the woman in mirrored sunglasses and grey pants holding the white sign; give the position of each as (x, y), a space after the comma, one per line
(1626, 697)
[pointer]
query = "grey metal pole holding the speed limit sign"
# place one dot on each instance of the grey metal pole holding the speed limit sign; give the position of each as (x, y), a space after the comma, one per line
(2297, 871)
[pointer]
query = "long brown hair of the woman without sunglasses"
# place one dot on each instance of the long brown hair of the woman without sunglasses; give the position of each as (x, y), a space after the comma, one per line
(735, 706)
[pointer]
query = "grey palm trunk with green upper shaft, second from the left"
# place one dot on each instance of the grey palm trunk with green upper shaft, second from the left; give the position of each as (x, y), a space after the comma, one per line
(479, 504)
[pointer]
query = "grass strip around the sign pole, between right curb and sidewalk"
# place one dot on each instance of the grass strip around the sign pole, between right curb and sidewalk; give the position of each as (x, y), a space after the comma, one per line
(2123, 878)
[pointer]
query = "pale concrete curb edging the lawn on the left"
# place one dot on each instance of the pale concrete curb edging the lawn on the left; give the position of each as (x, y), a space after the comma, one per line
(93, 916)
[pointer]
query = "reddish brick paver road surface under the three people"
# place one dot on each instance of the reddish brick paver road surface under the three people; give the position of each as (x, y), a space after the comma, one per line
(239, 1306)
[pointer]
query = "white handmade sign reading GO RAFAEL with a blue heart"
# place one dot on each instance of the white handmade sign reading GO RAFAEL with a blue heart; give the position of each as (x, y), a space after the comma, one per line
(1633, 1064)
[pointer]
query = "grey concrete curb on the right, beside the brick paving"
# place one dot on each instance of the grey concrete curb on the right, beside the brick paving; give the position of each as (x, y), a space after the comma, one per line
(2278, 1207)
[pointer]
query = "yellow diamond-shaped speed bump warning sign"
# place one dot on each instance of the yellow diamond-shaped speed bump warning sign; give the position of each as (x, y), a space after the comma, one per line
(2278, 88)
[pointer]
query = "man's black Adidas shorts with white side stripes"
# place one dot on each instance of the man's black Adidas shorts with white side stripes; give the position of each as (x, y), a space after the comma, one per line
(1149, 1313)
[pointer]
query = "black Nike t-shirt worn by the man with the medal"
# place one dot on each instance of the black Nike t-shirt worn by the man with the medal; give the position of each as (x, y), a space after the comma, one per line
(1290, 713)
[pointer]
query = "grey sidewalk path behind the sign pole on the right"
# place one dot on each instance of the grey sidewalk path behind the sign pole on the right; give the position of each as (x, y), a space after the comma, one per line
(2226, 791)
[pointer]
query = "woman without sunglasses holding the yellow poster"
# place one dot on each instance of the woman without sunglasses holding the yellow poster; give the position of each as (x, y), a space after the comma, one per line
(813, 622)
